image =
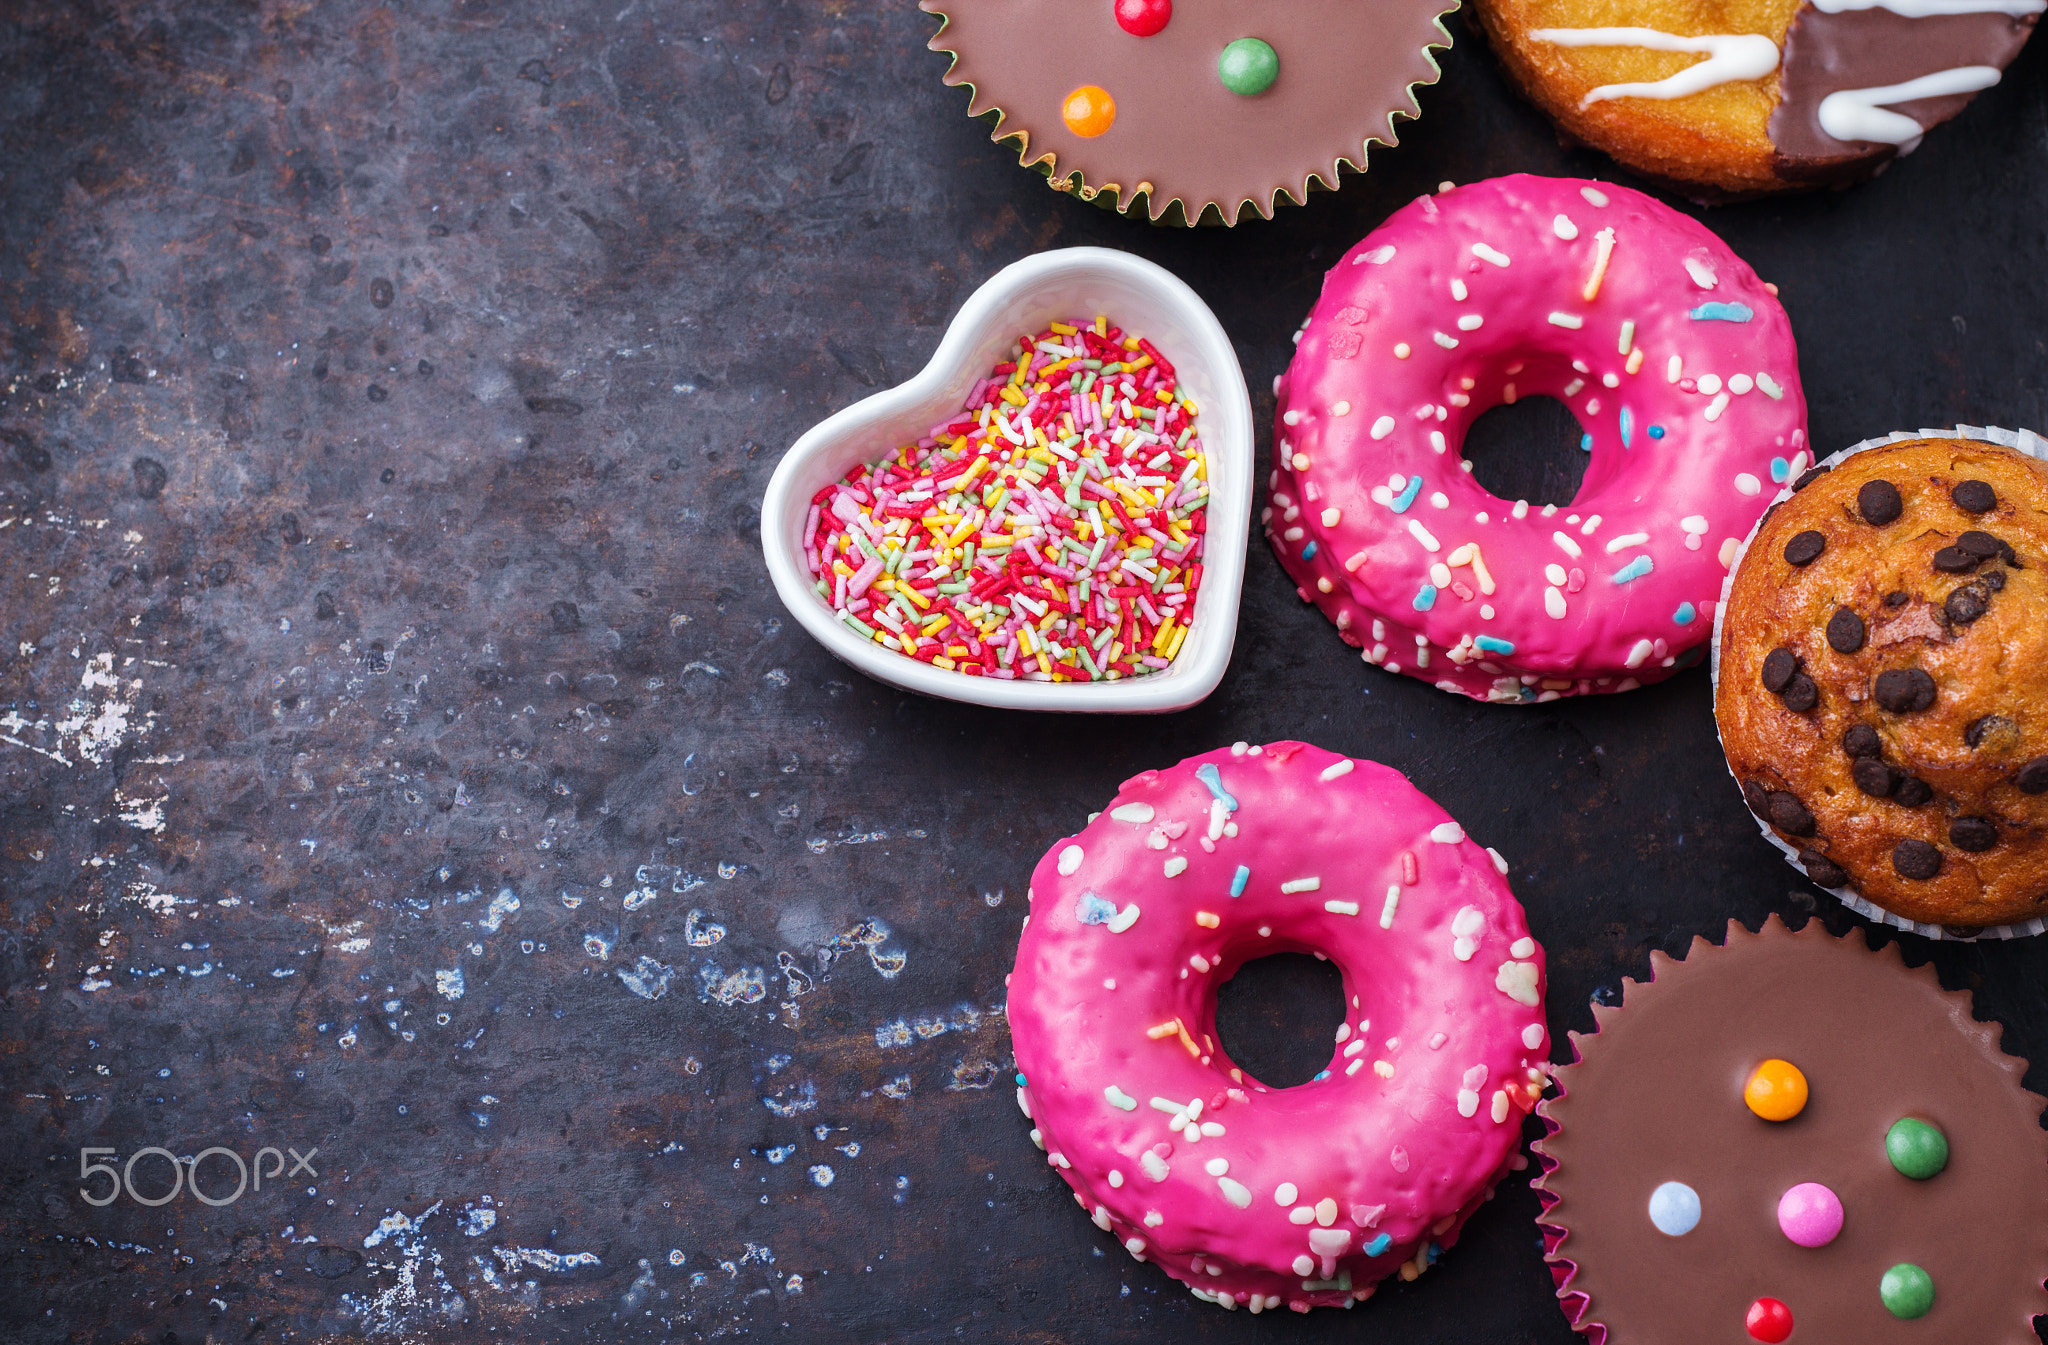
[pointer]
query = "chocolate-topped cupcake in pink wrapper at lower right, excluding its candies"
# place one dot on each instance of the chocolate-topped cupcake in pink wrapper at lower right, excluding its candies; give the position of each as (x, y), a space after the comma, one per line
(1658, 1096)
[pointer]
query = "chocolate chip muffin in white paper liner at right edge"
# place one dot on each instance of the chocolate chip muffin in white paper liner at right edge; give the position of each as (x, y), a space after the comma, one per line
(1883, 683)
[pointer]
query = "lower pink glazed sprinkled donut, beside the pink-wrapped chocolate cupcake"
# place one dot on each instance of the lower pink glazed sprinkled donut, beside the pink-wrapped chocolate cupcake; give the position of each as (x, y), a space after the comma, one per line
(1261, 1197)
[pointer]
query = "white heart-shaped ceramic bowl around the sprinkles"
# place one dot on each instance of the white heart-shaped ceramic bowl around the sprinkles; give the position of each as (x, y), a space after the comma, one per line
(1025, 298)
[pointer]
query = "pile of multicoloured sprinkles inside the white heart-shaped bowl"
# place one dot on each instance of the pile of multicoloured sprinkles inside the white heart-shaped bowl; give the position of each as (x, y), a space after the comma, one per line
(1052, 531)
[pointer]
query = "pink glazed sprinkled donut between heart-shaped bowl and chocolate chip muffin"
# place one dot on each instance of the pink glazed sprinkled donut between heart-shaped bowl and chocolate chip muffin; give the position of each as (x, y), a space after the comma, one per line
(1668, 349)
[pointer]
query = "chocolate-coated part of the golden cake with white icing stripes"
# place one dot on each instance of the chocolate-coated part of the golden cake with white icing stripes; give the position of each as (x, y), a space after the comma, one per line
(1873, 48)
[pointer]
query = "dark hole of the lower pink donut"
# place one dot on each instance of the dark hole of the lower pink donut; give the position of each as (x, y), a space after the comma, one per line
(1279, 1018)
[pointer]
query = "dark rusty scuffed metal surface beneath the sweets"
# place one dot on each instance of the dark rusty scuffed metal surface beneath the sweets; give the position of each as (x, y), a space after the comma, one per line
(388, 400)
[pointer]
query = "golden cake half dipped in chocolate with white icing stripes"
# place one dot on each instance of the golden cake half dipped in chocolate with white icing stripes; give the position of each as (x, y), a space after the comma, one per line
(1748, 97)
